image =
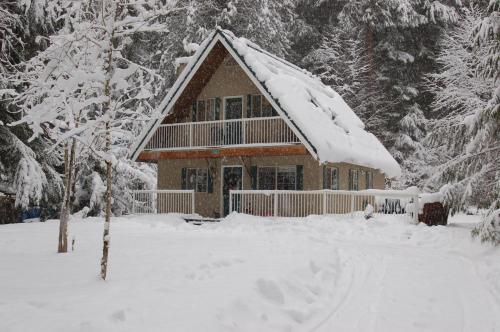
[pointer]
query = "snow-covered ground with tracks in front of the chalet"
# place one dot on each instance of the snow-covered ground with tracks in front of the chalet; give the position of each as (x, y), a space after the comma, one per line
(250, 274)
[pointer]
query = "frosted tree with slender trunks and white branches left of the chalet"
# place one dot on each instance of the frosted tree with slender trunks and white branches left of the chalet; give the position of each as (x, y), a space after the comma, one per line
(83, 88)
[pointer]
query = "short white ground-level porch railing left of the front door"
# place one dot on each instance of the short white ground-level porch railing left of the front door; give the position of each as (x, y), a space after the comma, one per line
(163, 201)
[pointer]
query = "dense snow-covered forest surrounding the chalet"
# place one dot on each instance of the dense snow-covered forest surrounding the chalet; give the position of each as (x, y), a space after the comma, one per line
(423, 75)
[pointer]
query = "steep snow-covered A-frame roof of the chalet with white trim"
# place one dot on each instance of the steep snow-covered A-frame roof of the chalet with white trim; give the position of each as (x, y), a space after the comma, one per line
(324, 123)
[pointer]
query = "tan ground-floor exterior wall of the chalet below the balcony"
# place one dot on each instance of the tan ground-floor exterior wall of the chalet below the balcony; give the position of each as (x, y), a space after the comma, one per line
(210, 204)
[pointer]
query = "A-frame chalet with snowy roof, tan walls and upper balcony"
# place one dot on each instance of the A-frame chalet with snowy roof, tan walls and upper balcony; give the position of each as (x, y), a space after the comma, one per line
(239, 117)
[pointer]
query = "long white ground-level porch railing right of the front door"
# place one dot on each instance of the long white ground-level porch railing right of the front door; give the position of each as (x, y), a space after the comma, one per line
(286, 203)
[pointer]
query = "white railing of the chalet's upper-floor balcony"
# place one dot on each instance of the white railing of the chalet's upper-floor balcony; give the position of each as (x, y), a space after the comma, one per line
(220, 133)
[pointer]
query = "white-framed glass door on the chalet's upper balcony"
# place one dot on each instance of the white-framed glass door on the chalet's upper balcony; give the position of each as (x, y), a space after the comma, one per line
(233, 112)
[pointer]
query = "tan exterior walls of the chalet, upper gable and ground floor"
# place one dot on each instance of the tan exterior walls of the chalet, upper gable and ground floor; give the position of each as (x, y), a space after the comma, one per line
(230, 80)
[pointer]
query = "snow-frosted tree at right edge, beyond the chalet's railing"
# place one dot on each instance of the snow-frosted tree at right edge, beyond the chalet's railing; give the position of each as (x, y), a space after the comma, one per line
(465, 137)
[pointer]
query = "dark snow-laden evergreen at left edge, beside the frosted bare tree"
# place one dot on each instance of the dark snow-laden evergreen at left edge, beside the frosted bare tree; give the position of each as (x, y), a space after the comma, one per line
(24, 165)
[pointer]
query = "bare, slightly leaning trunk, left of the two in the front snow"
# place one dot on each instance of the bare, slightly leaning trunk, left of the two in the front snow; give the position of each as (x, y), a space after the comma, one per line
(69, 161)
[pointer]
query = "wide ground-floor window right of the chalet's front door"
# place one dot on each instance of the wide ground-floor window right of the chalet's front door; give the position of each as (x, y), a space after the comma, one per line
(280, 178)
